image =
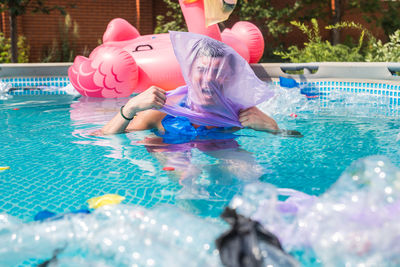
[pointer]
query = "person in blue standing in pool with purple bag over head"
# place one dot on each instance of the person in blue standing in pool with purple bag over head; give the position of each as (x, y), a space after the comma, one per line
(221, 92)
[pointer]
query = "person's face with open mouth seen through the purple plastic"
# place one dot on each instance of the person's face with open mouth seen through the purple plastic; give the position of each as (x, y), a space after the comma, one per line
(207, 77)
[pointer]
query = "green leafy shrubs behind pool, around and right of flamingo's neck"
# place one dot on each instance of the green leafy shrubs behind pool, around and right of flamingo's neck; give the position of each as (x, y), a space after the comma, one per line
(274, 23)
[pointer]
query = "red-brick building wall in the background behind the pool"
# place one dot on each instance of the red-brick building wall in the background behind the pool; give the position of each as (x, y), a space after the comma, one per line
(44, 32)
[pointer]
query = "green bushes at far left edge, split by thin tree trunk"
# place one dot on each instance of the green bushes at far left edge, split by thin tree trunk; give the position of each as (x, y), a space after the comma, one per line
(5, 49)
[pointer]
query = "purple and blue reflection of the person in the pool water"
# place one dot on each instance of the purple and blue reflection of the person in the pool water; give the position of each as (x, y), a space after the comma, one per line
(210, 171)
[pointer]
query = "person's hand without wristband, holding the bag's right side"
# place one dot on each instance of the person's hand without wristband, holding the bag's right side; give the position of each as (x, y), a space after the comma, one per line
(255, 119)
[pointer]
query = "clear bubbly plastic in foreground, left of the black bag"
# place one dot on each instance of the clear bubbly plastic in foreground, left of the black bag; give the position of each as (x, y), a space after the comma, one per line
(113, 236)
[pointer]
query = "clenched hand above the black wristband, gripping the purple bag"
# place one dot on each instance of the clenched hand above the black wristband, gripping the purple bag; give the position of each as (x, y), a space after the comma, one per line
(154, 97)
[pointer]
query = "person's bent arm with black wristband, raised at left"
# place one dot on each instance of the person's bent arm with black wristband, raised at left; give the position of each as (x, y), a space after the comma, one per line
(153, 97)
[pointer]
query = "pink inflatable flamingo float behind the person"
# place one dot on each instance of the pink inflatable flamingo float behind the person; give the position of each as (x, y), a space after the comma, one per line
(129, 63)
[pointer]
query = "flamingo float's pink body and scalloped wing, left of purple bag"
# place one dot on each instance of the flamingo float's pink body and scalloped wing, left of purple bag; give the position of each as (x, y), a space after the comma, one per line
(126, 63)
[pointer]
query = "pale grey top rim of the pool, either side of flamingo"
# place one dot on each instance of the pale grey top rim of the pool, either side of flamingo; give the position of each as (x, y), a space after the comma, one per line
(265, 71)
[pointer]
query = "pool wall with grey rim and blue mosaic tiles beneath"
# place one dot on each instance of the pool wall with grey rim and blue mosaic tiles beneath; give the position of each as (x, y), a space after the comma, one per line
(354, 77)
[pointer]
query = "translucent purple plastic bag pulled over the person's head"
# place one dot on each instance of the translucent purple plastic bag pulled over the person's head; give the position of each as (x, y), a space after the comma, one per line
(219, 82)
